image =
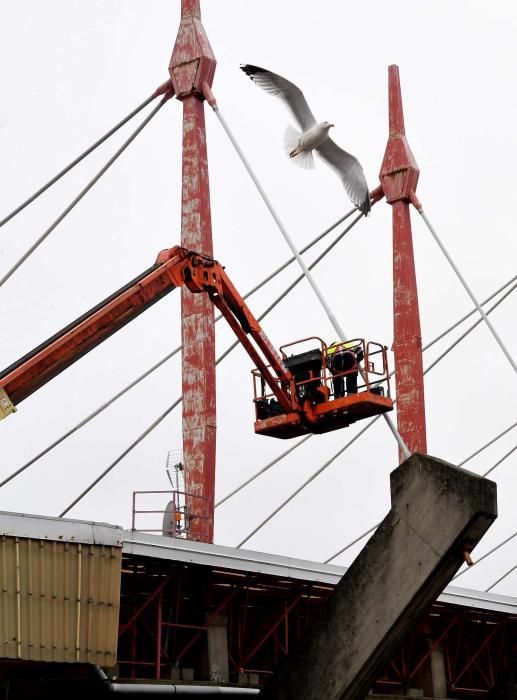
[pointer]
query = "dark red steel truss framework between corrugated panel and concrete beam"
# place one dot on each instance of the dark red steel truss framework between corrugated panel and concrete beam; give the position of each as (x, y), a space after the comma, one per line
(167, 608)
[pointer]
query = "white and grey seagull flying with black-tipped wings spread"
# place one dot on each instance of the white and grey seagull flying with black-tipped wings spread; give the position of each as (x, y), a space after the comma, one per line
(313, 136)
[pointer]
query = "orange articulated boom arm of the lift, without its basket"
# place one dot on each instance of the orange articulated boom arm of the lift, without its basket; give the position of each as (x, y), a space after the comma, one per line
(173, 268)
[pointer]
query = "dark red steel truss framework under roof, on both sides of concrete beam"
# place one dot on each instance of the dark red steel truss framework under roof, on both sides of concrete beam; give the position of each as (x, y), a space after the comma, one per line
(167, 607)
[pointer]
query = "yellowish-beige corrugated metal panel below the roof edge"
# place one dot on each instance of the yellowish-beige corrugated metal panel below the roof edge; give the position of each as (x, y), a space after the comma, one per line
(60, 600)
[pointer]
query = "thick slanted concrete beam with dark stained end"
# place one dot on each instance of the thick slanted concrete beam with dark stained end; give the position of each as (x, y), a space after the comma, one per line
(437, 510)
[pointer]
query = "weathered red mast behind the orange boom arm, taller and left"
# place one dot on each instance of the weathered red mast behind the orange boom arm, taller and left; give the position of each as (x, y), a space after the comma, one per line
(193, 64)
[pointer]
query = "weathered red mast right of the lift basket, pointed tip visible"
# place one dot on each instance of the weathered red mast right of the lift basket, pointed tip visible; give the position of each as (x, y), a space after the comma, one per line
(399, 177)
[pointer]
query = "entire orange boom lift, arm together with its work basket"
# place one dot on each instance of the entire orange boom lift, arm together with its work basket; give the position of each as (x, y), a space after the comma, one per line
(293, 394)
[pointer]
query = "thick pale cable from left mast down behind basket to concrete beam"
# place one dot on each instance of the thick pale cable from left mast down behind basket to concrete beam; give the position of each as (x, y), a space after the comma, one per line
(333, 320)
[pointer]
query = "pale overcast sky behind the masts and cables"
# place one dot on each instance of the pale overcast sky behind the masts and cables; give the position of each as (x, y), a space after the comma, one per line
(71, 69)
